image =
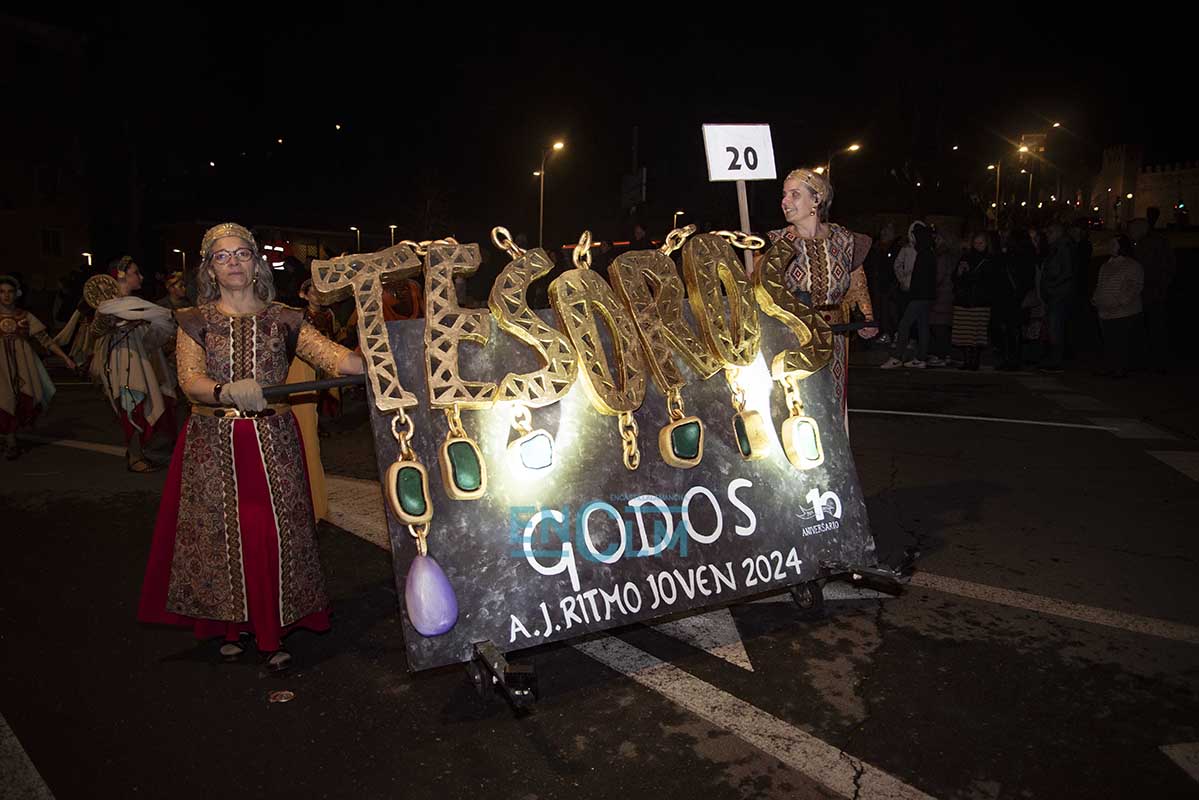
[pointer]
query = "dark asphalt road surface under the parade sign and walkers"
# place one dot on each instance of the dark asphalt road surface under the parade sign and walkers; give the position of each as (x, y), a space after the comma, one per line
(1046, 648)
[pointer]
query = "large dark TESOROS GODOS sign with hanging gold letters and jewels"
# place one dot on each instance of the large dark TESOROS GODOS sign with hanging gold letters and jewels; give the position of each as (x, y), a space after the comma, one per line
(547, 521)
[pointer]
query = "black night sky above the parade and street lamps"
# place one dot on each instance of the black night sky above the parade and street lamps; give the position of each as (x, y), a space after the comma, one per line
(444, 116)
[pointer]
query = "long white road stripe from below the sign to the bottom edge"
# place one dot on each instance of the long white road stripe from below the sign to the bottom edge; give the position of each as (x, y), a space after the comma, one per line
(802, 751)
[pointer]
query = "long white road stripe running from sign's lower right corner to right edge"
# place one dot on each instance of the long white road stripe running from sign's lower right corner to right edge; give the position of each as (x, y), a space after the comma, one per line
(1134, 623)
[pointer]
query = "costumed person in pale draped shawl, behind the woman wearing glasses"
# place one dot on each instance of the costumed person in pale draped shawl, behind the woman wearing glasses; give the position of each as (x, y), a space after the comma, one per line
(130, 364)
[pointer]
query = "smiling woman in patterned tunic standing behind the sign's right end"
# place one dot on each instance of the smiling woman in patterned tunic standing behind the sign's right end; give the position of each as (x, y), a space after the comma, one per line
(827, 273)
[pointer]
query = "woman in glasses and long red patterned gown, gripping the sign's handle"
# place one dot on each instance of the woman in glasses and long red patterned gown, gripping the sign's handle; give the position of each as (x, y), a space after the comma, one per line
(234, 548)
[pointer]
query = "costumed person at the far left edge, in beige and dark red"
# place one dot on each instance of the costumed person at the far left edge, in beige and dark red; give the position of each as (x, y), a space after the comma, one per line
(26, 388)
